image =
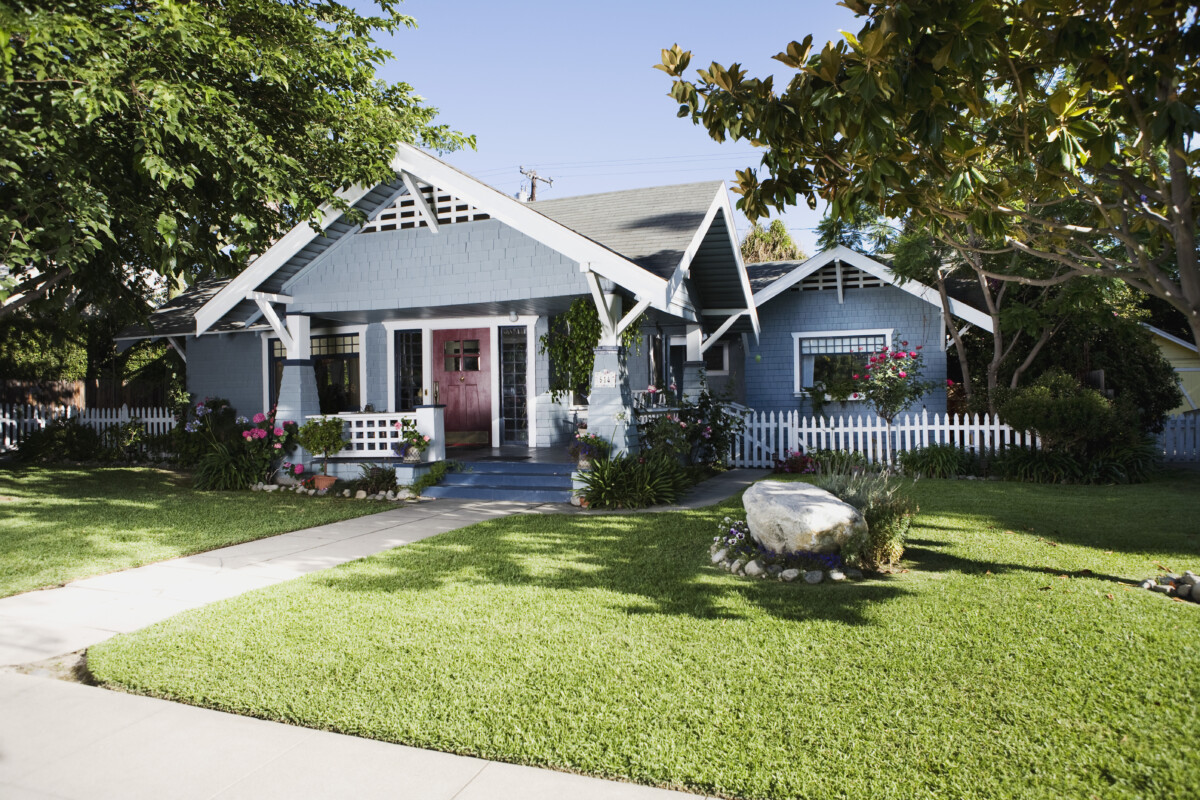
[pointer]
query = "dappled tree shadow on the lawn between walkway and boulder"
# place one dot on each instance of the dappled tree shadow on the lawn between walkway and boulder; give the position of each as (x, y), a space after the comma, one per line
(644, 564)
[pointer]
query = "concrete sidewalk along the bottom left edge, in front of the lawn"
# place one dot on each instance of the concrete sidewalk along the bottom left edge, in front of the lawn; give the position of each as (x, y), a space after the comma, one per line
(75, 742)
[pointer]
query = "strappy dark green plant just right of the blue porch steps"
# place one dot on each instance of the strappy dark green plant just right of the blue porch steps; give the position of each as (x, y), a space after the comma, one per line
(633, 483)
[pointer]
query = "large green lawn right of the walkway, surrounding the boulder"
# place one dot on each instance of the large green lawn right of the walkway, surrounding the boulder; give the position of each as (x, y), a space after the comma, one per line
(1012, 659)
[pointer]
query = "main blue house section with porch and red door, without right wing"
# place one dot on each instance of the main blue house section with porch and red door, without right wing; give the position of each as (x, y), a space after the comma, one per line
(439, 299)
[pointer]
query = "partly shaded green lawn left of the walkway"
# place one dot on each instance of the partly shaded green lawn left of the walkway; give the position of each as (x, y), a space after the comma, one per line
(58, 525)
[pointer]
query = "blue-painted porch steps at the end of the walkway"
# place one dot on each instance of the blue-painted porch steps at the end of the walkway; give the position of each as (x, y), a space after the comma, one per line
(519, 482)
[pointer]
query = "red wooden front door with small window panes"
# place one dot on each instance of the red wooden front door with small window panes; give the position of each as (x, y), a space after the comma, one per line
(463, 381)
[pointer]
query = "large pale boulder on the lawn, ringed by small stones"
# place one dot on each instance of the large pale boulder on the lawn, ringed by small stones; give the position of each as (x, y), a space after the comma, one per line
(788, 518)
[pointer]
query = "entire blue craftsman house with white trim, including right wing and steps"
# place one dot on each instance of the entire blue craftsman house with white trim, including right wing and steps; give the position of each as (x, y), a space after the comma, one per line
(431, 304)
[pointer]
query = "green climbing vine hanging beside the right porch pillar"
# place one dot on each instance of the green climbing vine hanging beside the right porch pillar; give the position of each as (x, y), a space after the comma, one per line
(572, 341)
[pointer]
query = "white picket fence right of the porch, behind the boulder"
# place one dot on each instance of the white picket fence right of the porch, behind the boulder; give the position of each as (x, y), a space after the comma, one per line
(771, 436)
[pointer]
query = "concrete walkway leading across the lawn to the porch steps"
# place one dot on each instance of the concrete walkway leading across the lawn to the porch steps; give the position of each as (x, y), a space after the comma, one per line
(40, 625)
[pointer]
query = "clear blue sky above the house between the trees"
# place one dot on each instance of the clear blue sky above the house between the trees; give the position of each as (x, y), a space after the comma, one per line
(569, 89)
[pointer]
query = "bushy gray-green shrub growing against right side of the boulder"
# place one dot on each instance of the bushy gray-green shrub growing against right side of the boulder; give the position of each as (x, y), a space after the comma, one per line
(887, 509)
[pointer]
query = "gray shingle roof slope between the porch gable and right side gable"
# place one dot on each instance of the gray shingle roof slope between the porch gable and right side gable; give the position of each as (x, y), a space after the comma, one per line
(651, 227)
